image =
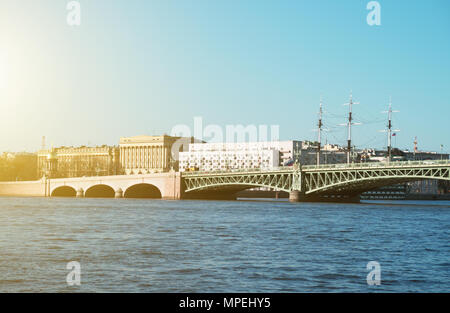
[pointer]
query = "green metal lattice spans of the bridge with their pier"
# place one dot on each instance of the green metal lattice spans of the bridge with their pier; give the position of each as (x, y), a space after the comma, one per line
(311, 182)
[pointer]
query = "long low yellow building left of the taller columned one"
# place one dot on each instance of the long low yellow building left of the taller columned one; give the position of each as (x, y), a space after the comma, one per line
(78, 161)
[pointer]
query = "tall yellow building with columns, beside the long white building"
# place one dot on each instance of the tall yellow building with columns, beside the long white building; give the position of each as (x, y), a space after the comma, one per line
(150, 154)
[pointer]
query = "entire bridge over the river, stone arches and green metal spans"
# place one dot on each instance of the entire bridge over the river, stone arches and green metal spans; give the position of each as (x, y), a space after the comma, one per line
(303, 183)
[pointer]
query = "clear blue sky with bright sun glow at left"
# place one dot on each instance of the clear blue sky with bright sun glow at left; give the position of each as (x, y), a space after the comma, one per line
(142, 67)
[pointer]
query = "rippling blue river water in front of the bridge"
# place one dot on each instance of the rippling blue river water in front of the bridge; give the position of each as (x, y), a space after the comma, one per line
(125, 245)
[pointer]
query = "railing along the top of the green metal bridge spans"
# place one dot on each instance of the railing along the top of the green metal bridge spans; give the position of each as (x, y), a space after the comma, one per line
(395, 164)
